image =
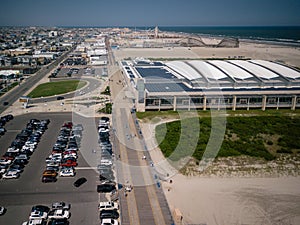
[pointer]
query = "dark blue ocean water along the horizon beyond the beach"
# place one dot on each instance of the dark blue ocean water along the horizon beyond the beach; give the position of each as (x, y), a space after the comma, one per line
(285, 34)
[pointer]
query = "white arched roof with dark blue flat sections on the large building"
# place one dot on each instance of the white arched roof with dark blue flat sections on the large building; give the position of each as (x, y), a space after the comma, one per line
(195, 75)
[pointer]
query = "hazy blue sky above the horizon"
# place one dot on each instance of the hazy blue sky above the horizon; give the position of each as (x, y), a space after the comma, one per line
(137, 13)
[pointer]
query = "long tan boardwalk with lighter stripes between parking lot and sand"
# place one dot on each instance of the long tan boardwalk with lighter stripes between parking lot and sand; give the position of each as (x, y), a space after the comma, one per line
(146, 203)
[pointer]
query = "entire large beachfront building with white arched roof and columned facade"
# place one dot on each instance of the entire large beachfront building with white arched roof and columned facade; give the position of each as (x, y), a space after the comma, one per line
(205, 84)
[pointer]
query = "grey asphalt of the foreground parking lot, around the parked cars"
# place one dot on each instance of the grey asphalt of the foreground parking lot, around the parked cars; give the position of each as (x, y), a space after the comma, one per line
(19, 195)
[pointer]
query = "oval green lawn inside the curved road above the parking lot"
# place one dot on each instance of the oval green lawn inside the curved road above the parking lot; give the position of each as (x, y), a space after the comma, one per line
(56, 88)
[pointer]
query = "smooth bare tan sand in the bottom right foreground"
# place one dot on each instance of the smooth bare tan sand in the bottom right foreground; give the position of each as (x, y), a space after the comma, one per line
(235, 200)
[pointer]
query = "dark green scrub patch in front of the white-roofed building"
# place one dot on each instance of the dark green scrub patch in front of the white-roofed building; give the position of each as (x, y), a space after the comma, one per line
(257, 136)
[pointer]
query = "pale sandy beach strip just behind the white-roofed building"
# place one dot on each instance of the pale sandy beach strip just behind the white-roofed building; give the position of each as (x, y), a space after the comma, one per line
(285, 54)
